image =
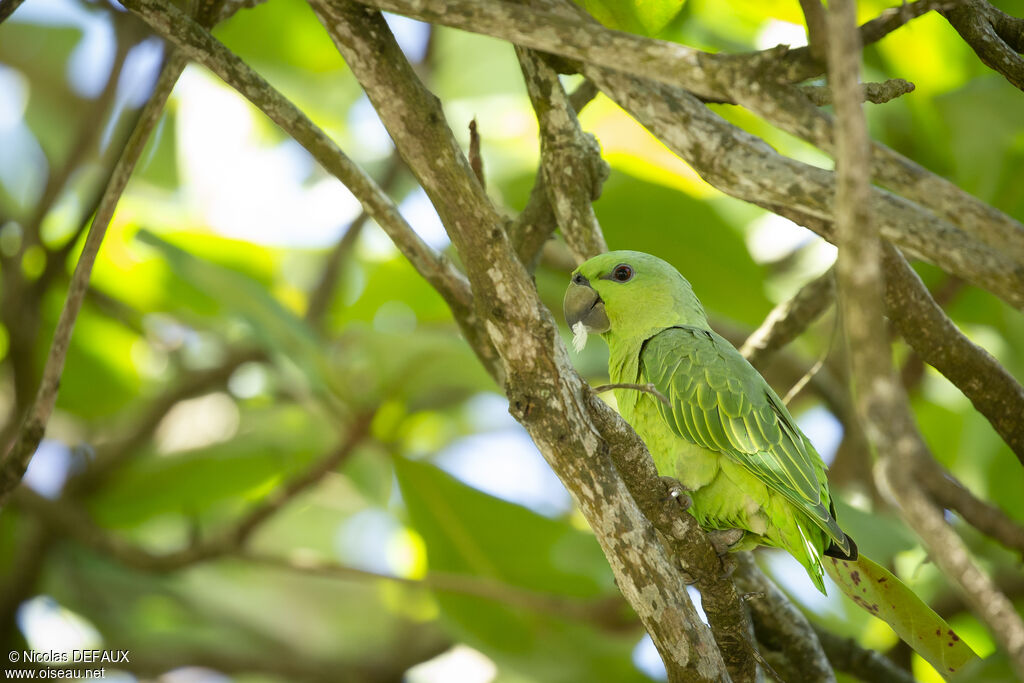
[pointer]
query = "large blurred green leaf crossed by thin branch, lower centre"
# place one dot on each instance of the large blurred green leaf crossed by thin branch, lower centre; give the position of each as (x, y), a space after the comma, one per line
(470, 533)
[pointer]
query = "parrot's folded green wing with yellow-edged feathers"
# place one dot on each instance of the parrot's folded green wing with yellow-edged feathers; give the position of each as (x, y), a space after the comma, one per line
(719, 401)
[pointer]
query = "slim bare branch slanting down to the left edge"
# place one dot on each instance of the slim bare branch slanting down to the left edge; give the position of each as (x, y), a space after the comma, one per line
(15, 463)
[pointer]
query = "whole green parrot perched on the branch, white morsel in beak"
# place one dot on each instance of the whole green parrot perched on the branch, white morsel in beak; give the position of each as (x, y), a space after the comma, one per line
(724, 435)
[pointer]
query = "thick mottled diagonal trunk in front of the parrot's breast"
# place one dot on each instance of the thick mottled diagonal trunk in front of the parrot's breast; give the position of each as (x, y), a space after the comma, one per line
(545, 395)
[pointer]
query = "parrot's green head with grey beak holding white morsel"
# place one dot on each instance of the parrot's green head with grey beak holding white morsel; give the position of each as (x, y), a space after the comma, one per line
(629, 294)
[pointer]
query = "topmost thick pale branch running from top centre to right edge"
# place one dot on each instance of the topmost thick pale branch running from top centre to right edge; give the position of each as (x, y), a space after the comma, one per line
(750, 80)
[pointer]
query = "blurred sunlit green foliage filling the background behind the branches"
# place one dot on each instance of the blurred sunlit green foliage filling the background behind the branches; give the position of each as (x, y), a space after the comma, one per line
(176, 293)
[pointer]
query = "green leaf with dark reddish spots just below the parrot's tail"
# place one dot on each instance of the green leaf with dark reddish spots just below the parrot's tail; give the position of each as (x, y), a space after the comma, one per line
(879, 592)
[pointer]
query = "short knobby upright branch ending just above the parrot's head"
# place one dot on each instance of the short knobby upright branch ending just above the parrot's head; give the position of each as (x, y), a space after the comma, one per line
(571, 160)
